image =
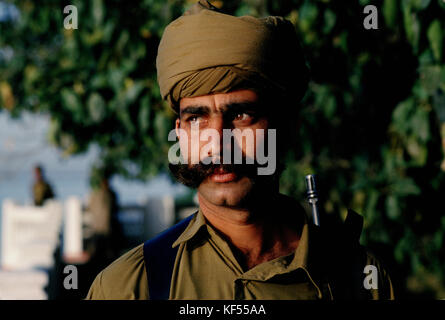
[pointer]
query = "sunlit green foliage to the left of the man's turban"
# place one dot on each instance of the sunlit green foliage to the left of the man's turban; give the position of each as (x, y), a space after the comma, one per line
(98, 82)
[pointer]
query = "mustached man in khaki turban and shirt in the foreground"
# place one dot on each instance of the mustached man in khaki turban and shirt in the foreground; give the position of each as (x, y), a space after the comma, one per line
(245, 76)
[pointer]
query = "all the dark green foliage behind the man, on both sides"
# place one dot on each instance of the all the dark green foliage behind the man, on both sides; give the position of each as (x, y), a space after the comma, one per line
(371, 124)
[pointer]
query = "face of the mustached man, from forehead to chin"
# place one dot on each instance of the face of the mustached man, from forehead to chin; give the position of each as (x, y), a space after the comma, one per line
(210, 117)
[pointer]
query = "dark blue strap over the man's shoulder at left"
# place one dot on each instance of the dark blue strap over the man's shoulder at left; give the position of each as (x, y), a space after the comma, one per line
(159, 257)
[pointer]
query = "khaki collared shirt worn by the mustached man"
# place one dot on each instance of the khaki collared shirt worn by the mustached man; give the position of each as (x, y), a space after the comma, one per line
(205, 268)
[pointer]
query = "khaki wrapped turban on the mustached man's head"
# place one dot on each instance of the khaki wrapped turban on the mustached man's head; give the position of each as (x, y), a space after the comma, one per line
(205, 51)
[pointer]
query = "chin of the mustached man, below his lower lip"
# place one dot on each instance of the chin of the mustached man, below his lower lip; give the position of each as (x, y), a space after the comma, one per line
(228, 194)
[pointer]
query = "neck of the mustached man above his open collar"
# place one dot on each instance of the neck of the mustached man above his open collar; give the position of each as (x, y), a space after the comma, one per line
(256, 235)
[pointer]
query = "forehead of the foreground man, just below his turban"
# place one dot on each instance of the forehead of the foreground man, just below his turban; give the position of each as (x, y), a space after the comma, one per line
(218, 100)
